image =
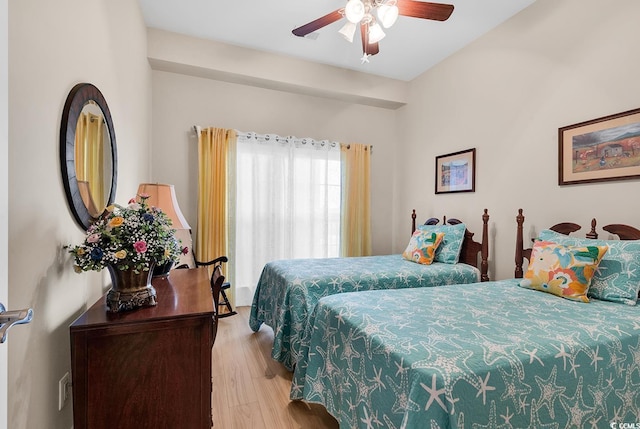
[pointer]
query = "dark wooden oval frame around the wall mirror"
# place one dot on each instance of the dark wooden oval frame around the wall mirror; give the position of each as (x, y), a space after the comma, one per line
(78, 97)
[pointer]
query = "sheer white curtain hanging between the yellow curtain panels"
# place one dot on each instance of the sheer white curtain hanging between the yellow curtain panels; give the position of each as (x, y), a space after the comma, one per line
(287, 204)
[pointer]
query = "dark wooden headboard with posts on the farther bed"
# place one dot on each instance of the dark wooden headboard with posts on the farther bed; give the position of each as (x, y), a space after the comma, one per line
(470, 248)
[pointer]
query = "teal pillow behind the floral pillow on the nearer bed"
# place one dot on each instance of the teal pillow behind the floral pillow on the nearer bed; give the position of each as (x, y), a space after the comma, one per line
(618, 276)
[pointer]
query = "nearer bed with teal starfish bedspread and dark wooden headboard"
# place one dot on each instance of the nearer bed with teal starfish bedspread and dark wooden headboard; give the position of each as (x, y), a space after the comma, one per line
(487, 355)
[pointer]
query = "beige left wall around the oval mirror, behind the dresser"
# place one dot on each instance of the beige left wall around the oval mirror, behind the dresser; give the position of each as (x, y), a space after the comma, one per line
(52, 46)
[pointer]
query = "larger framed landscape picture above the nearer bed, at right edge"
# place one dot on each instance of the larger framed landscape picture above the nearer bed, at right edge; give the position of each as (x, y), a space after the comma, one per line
(600, 150)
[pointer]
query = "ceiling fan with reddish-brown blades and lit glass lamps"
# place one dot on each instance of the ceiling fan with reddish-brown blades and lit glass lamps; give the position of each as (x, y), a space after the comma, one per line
(370, 15)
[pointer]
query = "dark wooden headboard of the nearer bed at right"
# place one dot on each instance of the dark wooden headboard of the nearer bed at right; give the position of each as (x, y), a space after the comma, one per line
(624, 232)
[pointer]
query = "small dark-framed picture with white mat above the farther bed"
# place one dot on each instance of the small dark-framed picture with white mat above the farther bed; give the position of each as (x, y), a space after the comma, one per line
(456, 172)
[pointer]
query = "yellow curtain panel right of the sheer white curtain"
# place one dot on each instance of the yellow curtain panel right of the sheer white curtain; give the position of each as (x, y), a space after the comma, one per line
(355, 220)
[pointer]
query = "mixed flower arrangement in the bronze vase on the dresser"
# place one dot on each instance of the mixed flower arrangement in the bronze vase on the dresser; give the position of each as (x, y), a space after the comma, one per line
(135, 237)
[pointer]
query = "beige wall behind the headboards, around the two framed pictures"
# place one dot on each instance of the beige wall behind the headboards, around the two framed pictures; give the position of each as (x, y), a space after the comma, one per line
(554, 64)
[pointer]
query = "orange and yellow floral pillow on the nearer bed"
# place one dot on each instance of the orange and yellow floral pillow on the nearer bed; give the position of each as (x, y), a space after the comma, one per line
(564, 271)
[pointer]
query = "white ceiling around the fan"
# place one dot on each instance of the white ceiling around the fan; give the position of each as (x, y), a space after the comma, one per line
(411, 47)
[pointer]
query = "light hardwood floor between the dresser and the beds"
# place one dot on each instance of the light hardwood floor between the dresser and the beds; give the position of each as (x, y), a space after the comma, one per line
(250, 389)
